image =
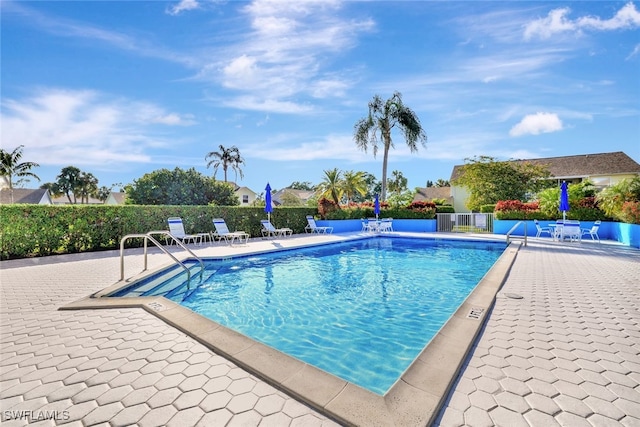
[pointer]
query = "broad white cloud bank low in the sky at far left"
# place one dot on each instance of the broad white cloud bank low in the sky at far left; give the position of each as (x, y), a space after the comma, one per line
(83, 127)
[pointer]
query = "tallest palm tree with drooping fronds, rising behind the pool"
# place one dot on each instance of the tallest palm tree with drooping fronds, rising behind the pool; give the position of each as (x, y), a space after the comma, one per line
(383, 117)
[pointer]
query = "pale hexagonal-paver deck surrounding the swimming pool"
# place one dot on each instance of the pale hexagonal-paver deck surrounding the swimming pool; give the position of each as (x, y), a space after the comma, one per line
(566, 353)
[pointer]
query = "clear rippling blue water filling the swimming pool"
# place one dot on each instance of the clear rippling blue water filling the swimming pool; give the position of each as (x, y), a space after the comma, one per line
(361, 310)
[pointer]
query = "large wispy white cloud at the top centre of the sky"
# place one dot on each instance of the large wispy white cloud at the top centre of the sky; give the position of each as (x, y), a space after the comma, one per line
(284, 54)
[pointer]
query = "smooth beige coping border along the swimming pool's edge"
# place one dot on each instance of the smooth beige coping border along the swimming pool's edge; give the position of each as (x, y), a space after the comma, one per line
(413, 400)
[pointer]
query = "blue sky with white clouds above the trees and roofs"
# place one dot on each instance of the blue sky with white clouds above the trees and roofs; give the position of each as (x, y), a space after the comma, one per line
(123, 88)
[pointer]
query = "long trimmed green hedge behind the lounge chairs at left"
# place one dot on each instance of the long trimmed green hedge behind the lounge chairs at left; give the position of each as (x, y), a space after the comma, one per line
(41, 230)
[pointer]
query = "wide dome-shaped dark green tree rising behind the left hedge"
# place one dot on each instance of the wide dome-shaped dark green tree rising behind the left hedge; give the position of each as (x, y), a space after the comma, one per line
(180, 187)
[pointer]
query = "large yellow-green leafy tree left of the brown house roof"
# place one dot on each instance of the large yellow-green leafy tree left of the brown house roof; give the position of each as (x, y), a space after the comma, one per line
(489, 180)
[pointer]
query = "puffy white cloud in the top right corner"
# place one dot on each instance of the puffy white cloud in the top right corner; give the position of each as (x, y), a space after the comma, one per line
(557, 21)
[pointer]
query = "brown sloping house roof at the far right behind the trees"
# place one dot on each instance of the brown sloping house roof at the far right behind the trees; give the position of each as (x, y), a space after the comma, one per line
(580, 166)
